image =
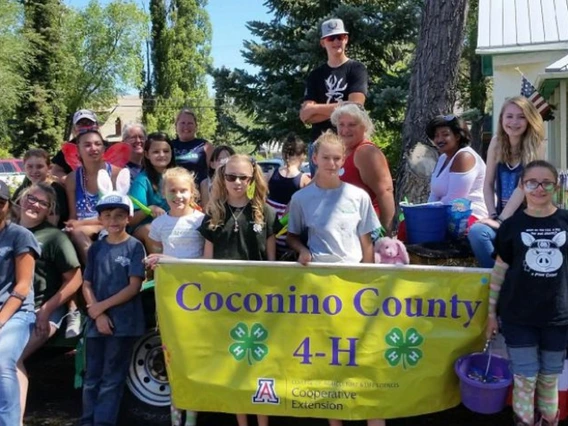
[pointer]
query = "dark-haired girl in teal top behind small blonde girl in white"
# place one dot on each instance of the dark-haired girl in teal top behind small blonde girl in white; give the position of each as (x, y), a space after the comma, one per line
(146, 188)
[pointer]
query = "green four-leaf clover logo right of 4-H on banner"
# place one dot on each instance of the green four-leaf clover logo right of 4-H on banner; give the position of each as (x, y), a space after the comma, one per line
(405, 349)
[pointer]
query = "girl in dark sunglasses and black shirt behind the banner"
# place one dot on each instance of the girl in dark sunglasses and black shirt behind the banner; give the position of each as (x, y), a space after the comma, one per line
(239, 225)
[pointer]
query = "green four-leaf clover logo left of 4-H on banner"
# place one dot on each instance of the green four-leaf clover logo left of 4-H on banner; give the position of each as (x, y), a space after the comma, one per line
(249, 343)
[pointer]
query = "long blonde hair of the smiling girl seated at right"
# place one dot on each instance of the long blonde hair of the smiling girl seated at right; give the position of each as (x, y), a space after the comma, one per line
(531, 140)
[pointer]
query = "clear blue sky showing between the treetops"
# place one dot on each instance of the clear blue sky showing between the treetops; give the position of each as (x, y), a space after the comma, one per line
(228, 19)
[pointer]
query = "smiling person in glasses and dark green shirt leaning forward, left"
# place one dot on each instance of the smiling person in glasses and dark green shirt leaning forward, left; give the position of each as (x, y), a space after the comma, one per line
(57, 274)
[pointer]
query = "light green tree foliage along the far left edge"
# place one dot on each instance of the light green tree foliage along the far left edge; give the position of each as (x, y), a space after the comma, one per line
(13, 58)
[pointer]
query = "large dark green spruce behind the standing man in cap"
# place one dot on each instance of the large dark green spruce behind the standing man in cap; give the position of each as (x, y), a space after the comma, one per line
(381, 33)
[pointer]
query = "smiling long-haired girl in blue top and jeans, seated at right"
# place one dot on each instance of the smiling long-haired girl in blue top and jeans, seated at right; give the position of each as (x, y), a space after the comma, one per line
(519, 140)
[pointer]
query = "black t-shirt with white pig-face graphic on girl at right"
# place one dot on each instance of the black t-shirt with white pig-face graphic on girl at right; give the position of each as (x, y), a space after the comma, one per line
(535, 290)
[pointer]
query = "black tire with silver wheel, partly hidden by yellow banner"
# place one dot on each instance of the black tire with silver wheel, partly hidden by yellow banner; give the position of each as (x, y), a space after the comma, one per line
(147, 395)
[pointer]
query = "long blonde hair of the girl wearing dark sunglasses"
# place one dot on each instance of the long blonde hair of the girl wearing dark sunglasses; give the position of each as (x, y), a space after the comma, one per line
(216, 207)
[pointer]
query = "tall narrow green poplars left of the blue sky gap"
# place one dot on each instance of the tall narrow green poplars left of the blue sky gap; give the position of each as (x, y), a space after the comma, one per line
(181, 58)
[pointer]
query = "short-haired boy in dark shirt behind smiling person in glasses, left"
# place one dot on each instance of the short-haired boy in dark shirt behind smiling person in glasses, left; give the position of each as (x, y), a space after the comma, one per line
(36, 167)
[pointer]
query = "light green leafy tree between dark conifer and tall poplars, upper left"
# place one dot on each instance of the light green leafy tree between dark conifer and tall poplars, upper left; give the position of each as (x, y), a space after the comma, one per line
(103, 51)
